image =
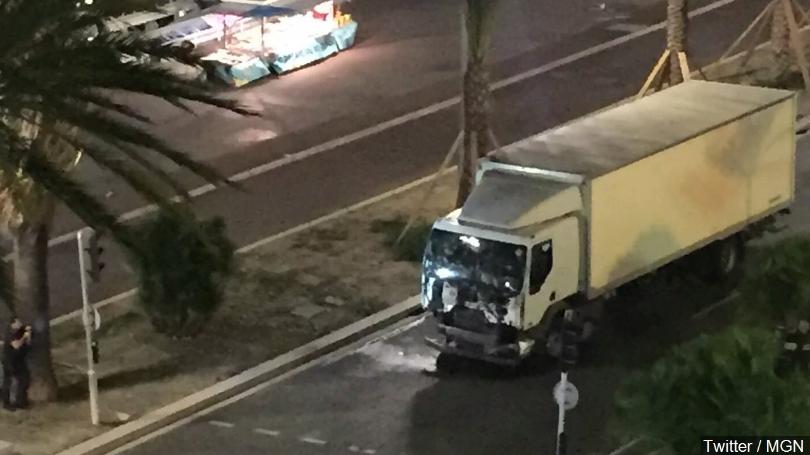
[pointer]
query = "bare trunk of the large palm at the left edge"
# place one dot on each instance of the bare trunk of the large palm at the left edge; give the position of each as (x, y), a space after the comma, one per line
(31, 284)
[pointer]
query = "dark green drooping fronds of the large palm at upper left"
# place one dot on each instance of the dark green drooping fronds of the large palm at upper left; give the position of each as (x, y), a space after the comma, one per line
(52, 74)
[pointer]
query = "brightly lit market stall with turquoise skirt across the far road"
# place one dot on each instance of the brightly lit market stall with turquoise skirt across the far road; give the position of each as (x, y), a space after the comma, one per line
(241, 43)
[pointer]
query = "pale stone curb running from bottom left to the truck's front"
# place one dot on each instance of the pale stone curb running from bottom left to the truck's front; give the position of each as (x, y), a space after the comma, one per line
(221, 391)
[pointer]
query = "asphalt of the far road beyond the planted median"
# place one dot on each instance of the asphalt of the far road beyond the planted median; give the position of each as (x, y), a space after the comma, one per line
(354, 170)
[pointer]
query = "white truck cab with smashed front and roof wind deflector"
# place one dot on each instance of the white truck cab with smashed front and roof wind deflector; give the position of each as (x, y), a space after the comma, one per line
(496, 270)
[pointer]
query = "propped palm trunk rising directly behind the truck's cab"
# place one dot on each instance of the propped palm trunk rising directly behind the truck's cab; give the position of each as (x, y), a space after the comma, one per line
(478, 23)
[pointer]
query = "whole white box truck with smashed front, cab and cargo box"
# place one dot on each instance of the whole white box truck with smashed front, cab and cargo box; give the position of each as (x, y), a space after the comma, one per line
(562, 219)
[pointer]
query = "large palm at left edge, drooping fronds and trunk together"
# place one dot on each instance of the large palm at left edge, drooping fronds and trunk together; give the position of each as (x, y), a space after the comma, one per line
(57, 104)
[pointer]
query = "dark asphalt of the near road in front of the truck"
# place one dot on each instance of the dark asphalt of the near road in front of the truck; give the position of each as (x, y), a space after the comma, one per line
(383, 397)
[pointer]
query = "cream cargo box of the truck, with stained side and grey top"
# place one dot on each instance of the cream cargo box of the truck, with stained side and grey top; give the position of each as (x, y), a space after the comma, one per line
(667, 174)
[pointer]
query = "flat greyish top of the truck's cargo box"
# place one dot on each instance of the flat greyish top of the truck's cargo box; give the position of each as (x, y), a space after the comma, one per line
(613, 138)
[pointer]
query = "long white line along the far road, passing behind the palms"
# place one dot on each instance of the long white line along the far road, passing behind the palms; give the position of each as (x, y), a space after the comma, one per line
(409, 117)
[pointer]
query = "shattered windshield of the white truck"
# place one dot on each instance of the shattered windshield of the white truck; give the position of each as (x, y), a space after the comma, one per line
(486, 264)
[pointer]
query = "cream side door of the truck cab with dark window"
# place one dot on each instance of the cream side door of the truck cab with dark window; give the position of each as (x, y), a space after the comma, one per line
(553, 273)
